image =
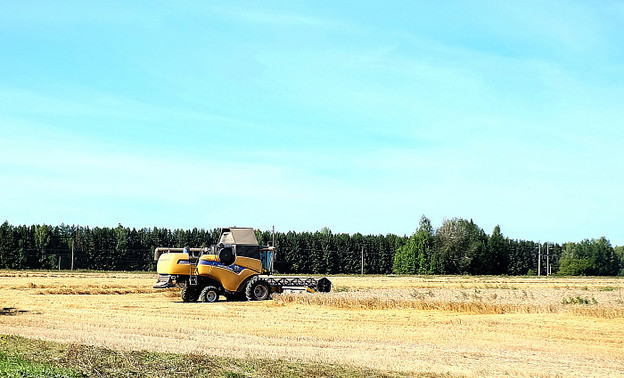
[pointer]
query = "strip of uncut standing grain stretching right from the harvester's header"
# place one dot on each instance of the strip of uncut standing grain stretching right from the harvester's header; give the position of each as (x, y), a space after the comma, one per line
(478, 298)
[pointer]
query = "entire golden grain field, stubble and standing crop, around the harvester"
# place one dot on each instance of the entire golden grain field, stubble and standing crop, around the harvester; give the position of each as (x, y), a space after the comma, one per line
(443, 325)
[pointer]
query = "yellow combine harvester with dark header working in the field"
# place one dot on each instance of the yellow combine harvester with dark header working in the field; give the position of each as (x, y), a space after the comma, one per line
(237, 267)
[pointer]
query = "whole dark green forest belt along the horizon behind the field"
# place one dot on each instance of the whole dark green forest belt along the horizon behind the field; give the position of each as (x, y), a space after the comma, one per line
(458, 246)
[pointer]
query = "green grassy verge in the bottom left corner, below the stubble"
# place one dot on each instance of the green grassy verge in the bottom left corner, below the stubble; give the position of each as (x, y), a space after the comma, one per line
(22, 357)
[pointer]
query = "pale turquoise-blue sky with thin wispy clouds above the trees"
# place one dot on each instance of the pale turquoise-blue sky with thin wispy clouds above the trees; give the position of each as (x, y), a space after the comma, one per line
(358, 116)
